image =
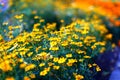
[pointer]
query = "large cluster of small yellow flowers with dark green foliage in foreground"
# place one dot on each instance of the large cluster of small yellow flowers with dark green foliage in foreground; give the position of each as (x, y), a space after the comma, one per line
(46, 53)
